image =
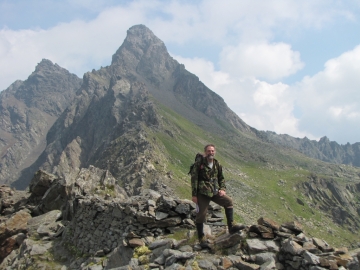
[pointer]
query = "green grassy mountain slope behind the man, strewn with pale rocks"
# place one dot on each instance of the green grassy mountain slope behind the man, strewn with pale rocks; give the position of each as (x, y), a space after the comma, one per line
(262, 179)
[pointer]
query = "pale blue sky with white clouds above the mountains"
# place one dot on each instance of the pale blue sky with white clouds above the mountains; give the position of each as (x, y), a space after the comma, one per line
(287, 66)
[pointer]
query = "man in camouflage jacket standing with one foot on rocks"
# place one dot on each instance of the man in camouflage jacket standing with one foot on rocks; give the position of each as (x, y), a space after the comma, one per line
(208, 184)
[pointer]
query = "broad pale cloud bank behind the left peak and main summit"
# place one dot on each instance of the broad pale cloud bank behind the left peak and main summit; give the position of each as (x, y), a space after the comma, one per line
(77, 46)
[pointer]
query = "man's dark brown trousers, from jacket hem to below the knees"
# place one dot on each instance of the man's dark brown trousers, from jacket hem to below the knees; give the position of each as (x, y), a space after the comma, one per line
(204, 201)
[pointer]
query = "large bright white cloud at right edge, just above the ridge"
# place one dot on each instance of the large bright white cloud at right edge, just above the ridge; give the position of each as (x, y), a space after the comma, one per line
(330, 99)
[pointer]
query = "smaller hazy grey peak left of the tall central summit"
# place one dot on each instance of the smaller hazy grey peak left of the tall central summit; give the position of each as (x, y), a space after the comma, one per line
(27, 111)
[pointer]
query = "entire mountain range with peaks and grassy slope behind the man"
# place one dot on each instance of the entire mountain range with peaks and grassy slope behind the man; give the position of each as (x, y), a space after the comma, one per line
(144, 117)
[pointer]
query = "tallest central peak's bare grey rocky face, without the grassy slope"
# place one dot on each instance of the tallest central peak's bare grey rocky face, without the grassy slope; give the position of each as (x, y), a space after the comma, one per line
(116, 101)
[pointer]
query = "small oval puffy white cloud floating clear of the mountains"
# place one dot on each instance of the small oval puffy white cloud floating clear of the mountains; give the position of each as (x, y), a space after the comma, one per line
(262, 60)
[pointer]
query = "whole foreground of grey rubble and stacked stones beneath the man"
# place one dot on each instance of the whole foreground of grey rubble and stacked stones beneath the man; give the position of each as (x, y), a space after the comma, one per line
(151, 230)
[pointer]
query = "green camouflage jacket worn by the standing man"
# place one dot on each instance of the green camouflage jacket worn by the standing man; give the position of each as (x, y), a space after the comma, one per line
(205, 180)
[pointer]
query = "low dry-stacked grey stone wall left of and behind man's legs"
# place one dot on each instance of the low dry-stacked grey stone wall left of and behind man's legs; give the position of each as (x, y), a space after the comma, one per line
(99, 226)
